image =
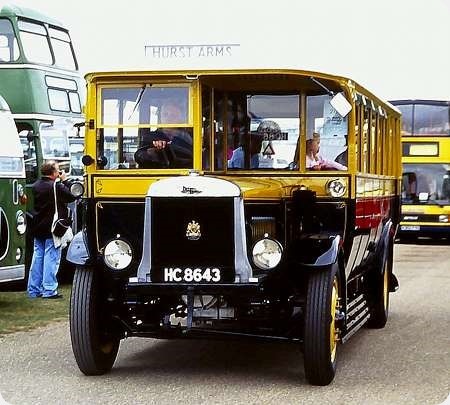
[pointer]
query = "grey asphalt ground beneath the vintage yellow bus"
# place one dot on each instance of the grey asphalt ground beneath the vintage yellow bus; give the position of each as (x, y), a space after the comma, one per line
(407, 362)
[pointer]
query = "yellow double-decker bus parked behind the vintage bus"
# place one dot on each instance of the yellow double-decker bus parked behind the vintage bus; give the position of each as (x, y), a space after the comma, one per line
(426, 168)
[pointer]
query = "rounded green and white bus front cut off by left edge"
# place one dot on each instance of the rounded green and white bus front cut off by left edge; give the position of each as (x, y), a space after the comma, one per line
(12, 200)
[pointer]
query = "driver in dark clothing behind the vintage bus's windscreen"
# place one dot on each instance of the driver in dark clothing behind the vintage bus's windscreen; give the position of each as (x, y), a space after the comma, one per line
(167, 146)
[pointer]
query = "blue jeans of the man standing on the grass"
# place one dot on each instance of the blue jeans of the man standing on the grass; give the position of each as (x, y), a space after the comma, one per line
(44, 267)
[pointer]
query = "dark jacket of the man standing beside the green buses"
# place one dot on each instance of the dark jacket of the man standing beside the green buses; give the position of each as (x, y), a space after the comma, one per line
(44, 205)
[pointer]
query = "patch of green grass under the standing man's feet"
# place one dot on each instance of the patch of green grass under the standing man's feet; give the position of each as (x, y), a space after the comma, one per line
(18, 312)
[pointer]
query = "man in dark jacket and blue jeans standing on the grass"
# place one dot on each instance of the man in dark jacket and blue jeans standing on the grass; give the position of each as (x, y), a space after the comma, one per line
(42, 280)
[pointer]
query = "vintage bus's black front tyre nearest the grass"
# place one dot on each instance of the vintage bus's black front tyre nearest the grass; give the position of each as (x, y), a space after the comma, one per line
(94, 351)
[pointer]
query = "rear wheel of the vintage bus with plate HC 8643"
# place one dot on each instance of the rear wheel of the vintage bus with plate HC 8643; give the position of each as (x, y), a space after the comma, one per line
(379, 296)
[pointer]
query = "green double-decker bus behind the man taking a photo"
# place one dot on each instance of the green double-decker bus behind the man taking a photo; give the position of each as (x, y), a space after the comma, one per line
(40, 80)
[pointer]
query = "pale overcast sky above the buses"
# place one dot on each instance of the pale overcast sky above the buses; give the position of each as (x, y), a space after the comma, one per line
(395, 48)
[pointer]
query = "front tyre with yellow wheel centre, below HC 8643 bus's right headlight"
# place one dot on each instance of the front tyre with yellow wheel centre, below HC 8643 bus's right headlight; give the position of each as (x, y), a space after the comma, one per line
(320, 337)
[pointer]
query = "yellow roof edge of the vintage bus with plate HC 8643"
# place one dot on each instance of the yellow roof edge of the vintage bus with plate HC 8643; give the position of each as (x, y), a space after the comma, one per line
(343, 81)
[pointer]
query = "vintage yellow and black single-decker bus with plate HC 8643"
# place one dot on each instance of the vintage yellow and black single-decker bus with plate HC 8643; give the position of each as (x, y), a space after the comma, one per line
(234, 203)
